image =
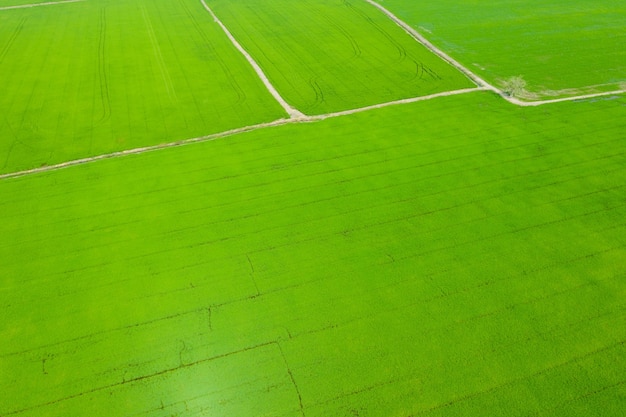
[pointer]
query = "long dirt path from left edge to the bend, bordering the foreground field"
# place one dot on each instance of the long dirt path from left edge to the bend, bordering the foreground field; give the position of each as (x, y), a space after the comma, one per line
(219, 135)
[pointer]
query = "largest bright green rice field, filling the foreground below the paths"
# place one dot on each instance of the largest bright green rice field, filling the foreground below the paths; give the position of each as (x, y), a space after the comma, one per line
(388, 263)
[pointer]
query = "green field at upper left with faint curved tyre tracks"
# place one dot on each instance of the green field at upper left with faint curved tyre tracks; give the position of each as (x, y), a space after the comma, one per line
(88, 78)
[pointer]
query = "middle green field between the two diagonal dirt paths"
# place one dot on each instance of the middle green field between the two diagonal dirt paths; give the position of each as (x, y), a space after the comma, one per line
(331, 55)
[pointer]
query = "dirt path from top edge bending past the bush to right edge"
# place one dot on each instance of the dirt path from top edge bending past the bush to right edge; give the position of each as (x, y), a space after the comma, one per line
(471, 75)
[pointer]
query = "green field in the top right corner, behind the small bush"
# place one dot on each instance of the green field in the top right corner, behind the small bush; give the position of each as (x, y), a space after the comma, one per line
(560, 47)
